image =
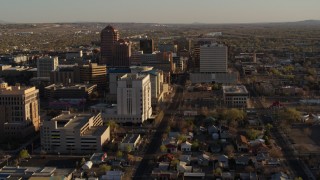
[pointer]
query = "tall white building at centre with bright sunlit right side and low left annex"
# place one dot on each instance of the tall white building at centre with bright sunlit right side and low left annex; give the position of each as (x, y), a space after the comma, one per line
(133, 100)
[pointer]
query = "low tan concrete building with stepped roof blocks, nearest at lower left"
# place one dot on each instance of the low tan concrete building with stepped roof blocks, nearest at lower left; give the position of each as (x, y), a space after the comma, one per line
(74, 133)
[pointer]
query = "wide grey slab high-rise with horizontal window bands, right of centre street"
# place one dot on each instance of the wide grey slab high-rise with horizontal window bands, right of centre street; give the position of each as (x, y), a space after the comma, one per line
(213, 58)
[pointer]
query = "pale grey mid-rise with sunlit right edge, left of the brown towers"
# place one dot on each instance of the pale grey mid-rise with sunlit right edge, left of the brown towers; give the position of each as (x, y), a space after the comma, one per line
(45, 65)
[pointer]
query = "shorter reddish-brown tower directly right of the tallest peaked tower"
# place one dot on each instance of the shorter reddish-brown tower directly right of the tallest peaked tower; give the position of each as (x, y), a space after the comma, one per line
(121, 54)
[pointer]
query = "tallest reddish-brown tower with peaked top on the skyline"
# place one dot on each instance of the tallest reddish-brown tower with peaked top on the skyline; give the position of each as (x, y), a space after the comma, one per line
(109, 36)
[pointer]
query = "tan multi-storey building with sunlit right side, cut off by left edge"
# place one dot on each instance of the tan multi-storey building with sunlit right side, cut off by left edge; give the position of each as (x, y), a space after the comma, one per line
(19, 111)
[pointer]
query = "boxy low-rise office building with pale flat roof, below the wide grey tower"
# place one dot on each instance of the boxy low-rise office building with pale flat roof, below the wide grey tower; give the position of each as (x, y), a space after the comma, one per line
(235, 96)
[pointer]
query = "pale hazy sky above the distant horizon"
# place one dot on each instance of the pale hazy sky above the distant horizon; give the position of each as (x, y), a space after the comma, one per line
(159, 11)
